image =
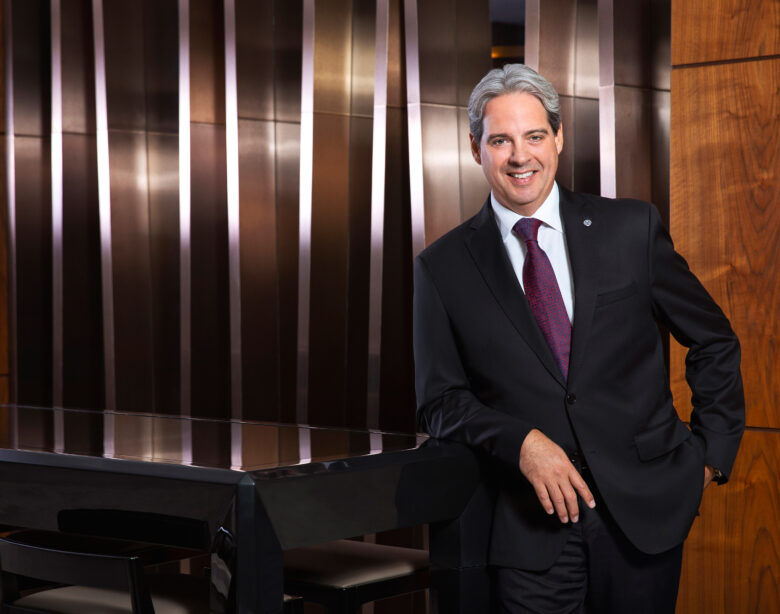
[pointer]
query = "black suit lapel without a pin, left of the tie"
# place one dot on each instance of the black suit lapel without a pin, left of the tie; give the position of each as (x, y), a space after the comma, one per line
(488, 251)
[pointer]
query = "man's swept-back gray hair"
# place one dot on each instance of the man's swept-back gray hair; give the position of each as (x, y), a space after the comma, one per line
(506, 80)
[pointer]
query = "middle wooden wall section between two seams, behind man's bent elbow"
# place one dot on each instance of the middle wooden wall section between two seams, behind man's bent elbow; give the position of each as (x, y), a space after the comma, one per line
(725, 153)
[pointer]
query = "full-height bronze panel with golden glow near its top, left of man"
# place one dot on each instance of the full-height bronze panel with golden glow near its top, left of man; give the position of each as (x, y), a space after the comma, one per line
(341, 205)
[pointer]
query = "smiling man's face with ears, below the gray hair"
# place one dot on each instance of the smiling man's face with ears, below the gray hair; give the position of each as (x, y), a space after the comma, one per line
(518, 151)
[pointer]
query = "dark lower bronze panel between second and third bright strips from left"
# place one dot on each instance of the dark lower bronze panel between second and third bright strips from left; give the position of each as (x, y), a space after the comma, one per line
(82, 359)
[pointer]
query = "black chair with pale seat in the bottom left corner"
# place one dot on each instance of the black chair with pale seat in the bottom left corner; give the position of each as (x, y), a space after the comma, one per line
(88, 581)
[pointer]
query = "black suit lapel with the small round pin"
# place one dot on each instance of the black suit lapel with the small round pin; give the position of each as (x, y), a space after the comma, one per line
(581, 225)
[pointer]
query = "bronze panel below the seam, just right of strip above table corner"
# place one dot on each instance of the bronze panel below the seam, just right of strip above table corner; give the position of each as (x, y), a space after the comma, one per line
(259, 270)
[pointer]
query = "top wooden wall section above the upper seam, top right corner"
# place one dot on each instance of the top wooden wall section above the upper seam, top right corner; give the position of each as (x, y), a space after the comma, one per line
(710, 31)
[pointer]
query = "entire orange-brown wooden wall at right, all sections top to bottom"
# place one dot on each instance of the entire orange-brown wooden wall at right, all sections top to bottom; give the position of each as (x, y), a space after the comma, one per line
(724, 220)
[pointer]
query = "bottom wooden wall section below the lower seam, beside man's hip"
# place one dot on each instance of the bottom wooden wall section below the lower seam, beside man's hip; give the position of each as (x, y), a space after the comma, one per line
(731, 563)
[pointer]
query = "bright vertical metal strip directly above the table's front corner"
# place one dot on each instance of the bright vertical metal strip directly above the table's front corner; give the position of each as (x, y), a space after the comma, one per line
(234, 245)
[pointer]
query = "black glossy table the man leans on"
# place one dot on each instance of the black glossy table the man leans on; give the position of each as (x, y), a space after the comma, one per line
(269, 487)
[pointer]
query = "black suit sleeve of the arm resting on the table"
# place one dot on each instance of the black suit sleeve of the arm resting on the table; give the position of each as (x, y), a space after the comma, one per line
(446, 406)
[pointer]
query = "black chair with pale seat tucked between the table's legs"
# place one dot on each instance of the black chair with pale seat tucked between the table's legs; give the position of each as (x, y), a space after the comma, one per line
(345, 574)
